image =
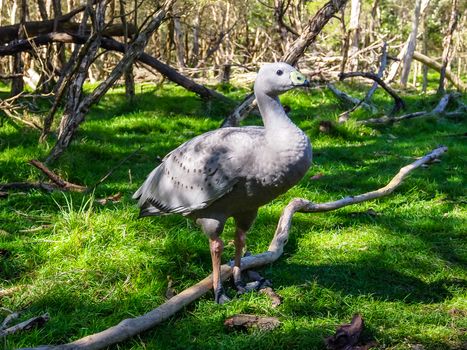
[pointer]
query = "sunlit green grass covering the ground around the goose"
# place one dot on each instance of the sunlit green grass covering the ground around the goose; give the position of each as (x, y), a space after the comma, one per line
(90, 265)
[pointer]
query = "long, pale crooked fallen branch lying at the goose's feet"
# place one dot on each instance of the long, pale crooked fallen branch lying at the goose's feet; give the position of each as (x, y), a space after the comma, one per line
(132, 326)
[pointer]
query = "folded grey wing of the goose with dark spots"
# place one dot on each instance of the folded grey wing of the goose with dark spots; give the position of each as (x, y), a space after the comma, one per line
(193, 176)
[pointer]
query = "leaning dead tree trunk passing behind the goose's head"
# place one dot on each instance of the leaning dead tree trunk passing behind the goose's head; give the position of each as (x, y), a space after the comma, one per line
(295, 51)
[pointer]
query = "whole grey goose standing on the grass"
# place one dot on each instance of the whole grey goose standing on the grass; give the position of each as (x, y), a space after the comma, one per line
(231, 172)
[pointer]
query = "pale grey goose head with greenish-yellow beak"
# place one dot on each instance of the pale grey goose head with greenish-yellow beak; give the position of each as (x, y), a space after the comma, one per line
(276, 78)
